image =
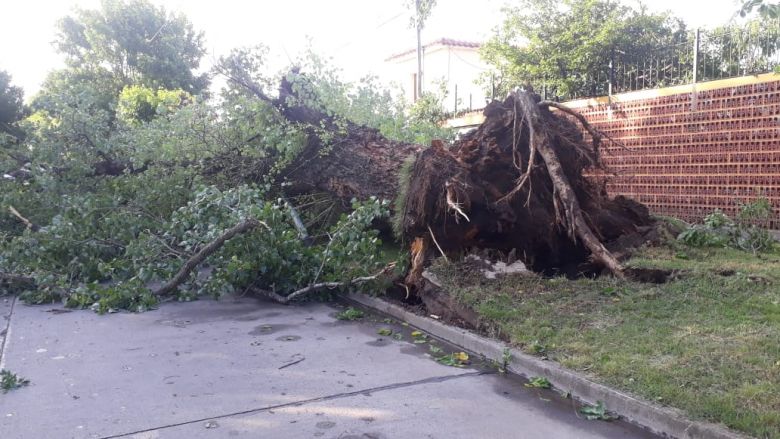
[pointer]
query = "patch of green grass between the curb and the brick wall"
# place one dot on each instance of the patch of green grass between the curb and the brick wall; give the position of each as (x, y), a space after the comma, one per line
(707, 342)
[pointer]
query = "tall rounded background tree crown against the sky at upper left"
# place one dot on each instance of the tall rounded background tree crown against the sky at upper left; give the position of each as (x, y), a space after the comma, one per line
(137, 43)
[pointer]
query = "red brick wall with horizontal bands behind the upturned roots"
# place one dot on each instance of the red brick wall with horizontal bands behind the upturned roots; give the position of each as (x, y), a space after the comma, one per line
(693, 152)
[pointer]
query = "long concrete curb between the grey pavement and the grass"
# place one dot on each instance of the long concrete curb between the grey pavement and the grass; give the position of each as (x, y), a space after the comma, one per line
(665, 421)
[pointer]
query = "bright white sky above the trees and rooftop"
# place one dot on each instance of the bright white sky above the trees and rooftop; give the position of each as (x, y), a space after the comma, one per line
(357, 34)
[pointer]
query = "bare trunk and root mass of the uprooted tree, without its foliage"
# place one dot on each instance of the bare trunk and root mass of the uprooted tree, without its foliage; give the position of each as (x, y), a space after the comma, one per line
(526, 184)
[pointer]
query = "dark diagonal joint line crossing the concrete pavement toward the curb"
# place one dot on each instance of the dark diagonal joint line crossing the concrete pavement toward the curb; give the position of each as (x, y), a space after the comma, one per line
(437, 379)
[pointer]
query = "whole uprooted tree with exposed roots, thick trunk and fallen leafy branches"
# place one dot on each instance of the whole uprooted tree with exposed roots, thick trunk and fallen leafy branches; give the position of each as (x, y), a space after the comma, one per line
(524, 186)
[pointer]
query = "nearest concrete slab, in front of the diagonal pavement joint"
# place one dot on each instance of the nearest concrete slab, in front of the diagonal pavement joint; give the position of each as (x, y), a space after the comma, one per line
(468, 406)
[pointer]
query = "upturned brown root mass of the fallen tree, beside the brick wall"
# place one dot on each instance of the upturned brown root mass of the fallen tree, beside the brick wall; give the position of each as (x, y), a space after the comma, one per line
(467, 196)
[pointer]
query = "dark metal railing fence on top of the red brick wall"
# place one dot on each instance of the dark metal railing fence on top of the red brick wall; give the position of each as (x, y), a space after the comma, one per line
(700, 55)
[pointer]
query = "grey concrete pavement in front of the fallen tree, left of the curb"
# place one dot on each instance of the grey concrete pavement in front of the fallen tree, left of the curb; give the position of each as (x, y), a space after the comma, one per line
(254, 369)
